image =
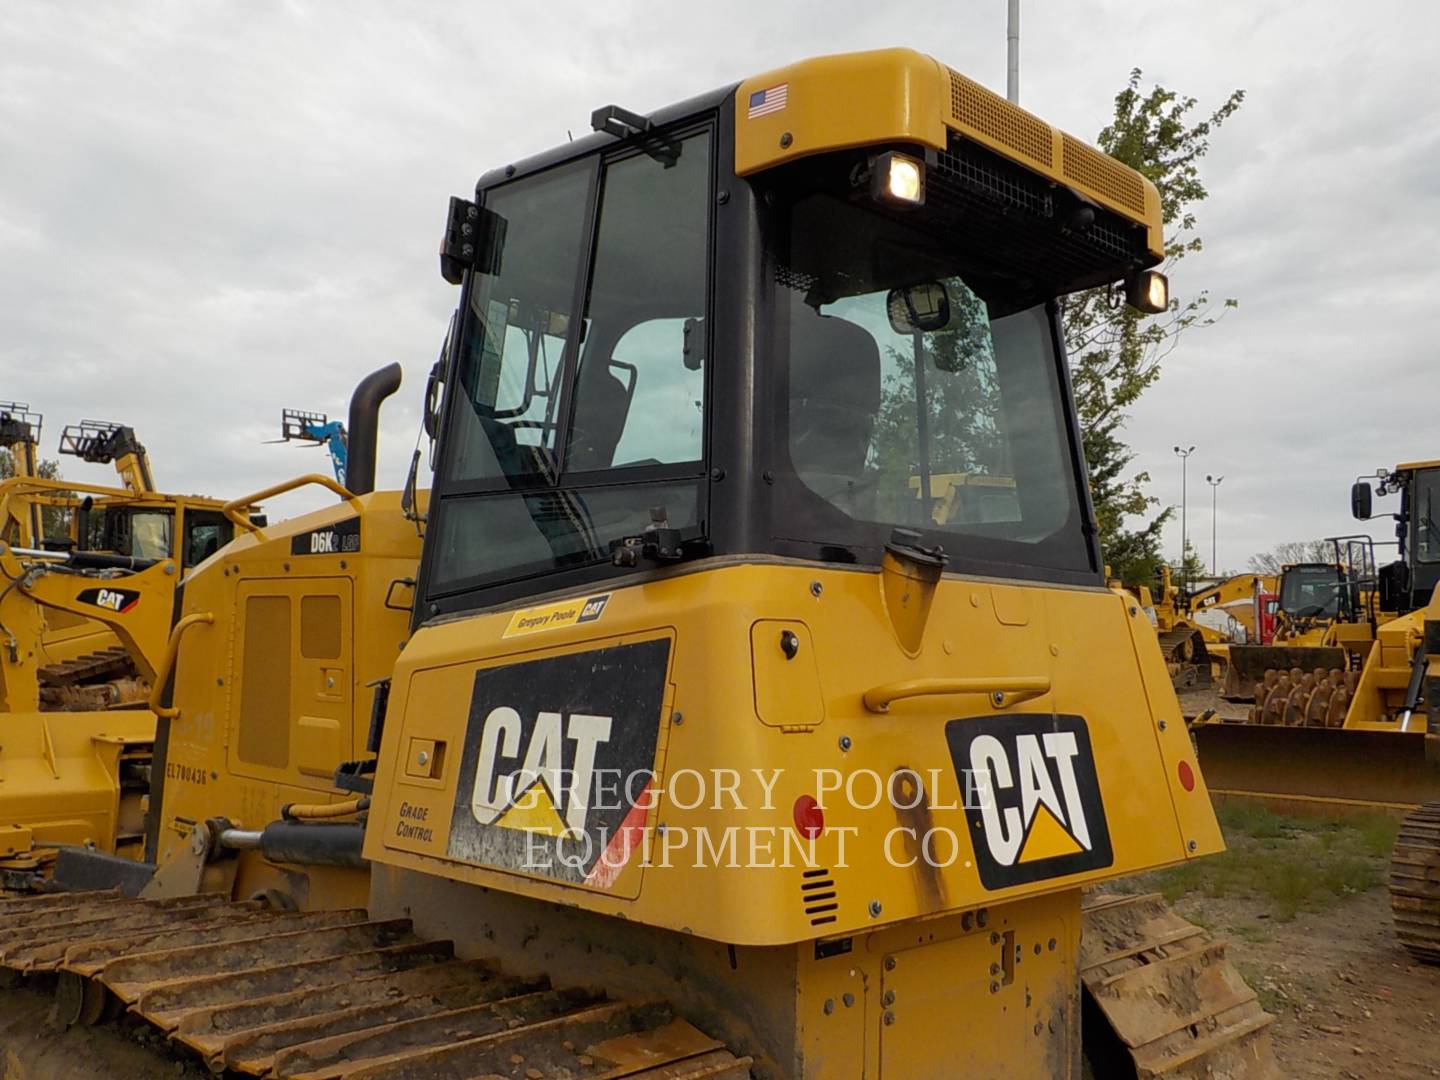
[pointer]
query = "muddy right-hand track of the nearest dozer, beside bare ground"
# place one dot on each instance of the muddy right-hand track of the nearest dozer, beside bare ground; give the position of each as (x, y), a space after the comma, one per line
(1167, 997)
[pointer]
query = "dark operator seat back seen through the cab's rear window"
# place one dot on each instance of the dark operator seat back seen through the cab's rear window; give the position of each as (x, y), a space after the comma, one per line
(834, 402)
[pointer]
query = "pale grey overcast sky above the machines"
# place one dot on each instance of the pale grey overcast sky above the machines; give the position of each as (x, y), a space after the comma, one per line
(212, 211)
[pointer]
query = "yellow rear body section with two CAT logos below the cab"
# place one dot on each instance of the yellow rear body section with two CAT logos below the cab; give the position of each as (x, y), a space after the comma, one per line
(1085, 783)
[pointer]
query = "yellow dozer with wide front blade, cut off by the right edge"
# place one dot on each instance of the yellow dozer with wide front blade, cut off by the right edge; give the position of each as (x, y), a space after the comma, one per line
(1347, 737)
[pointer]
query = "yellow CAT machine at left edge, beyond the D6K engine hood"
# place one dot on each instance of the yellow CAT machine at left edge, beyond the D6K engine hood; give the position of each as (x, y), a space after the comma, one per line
(86, 614)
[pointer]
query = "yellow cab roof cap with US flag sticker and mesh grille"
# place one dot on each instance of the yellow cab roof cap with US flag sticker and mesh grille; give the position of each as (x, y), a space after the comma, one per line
(899, 96)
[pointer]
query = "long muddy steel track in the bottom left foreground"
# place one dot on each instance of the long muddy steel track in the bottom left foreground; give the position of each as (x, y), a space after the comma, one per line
(335, 994)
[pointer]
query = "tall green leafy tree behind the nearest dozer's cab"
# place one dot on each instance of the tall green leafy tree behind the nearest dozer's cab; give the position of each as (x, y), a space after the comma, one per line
(1117, 352)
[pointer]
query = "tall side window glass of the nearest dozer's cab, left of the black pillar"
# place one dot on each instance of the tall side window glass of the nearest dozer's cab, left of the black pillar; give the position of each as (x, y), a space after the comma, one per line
(575, 430)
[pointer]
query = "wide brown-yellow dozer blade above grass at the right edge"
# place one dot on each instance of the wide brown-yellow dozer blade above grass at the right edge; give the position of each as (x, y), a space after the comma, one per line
(1317, 770)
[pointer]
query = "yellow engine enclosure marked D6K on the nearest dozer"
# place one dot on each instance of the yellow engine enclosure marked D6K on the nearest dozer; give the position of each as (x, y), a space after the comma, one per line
(328, 706)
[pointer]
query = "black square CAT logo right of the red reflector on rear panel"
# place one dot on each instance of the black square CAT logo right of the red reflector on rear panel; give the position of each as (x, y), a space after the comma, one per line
(1032, 797)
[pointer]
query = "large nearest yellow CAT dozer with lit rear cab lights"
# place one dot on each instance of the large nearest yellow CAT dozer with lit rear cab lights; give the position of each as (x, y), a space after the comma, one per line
(703, 364)
